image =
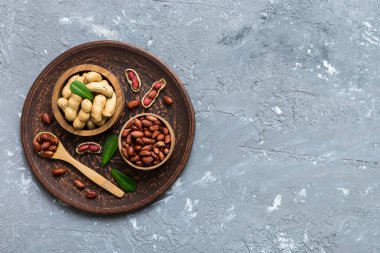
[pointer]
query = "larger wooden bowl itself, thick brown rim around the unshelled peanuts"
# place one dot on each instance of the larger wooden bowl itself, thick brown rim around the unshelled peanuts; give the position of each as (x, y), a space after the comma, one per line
(113, 81)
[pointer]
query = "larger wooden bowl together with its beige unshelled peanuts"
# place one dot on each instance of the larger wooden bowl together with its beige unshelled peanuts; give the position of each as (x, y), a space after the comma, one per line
(83, 115)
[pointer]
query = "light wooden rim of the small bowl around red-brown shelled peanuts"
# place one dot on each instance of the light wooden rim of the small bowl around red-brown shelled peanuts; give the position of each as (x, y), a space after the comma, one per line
(171, 145)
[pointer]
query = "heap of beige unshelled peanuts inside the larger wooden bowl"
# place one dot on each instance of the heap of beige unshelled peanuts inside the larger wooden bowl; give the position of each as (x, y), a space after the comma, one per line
(84, 112)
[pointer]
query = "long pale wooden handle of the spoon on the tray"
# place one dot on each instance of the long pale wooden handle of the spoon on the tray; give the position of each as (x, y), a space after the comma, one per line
(96, 177)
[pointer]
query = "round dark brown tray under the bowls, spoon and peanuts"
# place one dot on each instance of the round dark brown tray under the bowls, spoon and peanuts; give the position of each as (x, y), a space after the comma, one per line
(116, 57)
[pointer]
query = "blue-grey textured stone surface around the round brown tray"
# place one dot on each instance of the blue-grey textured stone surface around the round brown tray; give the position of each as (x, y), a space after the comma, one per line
(286, 148)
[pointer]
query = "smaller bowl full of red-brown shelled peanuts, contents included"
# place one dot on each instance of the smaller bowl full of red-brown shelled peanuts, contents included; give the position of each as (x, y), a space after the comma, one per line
(146, 141)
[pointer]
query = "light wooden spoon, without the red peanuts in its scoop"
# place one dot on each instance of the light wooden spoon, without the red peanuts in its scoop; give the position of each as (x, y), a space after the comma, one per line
(62, 154)
